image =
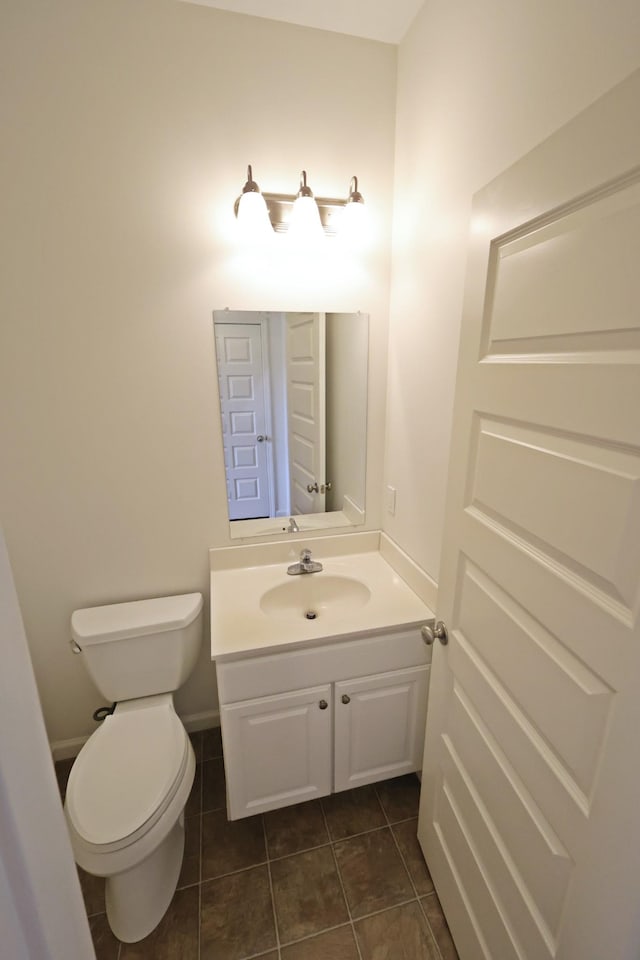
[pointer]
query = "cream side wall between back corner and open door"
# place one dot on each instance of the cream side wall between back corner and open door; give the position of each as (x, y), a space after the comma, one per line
(479, 84)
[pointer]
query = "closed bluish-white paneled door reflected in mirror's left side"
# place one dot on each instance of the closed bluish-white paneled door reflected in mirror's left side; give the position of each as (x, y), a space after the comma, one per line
(244, 406)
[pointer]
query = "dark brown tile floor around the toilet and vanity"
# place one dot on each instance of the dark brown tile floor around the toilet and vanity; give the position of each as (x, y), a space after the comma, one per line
(342, 878)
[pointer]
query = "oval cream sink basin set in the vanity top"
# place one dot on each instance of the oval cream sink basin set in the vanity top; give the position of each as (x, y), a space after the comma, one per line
(312, 595)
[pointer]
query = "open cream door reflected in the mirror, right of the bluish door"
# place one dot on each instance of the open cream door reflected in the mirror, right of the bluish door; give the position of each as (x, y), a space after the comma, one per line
(306, 410)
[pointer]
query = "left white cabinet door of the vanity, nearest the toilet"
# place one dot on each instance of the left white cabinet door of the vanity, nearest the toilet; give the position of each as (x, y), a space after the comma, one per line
(278, 750)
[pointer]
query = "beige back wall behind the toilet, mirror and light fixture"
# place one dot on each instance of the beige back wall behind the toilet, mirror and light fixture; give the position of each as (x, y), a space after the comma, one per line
(127, 127)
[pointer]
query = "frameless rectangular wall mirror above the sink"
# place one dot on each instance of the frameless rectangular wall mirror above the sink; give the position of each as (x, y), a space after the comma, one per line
(293, 403)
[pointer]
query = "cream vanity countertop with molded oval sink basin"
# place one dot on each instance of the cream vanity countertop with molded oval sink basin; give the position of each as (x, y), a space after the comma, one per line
(261, 609)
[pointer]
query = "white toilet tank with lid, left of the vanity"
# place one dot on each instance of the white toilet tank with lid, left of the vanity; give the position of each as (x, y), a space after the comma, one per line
(140, 648)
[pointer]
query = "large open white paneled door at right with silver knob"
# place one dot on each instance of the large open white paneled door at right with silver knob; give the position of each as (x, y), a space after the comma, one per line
(530, 810)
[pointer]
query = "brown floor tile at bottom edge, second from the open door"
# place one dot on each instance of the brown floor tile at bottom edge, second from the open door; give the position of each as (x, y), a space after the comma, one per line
(397, 934)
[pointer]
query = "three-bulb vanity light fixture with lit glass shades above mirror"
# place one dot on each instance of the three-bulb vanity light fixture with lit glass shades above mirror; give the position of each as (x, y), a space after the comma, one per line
(301, 211)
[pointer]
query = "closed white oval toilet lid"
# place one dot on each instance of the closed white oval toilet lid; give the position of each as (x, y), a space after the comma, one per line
(125, 772)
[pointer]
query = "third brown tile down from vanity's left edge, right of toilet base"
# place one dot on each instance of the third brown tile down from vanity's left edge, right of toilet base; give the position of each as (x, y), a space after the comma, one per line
(236, 917)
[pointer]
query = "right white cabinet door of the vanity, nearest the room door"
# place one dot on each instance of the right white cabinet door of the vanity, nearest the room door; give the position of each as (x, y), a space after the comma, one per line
(379, 726)
